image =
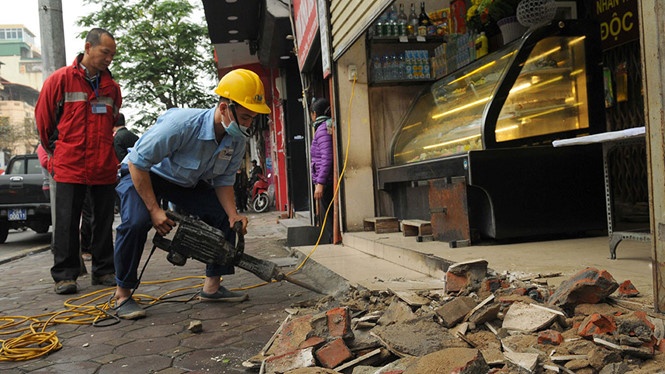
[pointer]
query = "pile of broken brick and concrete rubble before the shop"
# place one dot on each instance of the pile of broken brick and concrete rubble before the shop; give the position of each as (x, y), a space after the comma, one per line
(477, 323)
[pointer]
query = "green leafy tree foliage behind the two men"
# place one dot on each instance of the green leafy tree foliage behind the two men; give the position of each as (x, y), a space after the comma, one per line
(163, 57)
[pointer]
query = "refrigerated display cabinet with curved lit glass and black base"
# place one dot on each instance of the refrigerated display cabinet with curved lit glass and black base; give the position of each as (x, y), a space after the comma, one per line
(490, 126)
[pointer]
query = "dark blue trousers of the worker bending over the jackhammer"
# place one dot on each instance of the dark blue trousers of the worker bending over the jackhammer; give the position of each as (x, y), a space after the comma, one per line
(132, 233)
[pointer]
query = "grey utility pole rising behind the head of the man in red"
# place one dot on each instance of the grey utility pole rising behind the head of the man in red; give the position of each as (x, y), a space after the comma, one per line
(52, 34)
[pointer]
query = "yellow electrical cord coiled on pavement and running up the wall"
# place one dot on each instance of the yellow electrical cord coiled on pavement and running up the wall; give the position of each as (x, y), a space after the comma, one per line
(36, 341)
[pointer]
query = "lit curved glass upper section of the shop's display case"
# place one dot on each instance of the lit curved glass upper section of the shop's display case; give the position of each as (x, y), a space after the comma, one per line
(532, 91)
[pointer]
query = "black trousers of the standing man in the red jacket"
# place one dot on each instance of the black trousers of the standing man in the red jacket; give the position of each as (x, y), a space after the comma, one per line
(66, 243)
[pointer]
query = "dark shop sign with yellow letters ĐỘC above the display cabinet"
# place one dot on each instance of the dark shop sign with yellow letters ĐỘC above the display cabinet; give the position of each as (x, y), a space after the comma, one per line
(618, 20)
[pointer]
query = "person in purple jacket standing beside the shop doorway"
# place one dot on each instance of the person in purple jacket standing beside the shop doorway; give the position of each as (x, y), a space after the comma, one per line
(322, 165)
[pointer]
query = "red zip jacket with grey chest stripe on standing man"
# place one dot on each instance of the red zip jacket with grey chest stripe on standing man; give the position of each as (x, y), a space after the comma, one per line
(80, 142)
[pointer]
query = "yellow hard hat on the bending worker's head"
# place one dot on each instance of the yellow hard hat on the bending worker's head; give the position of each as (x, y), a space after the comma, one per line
(245, 88)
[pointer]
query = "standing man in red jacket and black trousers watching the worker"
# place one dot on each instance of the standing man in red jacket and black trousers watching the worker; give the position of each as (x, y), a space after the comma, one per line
(75, 113)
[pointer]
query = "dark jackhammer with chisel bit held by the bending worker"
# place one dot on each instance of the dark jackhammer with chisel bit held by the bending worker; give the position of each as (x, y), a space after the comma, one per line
(198, 240)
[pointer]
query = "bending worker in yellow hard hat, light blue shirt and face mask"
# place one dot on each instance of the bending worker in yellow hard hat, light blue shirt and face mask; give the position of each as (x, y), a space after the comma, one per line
(188, 157)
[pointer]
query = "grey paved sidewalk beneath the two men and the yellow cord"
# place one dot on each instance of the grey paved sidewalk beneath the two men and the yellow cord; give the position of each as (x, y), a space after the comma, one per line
(160, 343)
